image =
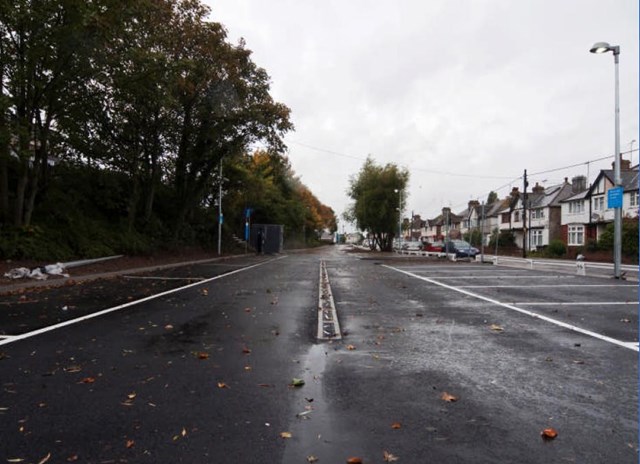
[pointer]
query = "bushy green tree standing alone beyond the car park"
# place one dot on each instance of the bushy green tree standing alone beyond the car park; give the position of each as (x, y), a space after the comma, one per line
(375, 208)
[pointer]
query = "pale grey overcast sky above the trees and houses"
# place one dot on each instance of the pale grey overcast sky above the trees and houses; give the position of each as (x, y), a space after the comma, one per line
(465, 94)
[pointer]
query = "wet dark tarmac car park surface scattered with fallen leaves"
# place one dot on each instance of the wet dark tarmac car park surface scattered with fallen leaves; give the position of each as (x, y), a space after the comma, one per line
(202, 375)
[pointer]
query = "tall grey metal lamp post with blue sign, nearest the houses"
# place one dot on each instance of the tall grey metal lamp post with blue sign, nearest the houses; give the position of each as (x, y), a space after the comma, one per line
(603, 47)
